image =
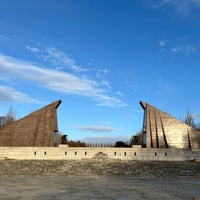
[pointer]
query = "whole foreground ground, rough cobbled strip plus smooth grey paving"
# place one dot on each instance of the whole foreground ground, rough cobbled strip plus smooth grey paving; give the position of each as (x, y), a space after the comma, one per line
(99, 179)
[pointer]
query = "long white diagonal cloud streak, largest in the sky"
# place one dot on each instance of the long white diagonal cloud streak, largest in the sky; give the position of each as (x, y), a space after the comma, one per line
(57, 80)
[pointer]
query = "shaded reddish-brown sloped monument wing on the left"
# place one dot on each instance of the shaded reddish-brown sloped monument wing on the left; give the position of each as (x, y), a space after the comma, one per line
(35, 129)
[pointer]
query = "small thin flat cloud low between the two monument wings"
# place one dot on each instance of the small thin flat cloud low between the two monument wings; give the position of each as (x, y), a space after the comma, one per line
(96, 128)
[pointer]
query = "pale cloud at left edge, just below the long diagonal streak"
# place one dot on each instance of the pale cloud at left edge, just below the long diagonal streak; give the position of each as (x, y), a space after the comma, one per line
(9, 94)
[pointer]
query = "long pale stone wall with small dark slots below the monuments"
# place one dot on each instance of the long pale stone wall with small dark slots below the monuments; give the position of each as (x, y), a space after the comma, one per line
(77, 153)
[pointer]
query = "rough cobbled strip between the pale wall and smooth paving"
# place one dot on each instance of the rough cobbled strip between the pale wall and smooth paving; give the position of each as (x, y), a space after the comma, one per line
(106, 167)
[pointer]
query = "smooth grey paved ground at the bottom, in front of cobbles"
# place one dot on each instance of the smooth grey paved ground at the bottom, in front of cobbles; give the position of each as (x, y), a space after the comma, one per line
(98, 188)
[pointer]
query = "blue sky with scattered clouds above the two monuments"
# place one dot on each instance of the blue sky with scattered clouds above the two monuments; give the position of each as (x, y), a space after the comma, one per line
(100, 58)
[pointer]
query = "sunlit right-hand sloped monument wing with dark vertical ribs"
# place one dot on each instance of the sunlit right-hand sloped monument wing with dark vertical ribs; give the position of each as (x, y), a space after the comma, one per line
(164, 131)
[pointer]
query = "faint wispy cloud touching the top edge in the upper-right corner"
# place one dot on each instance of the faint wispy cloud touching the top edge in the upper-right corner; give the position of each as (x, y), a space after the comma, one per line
(182, 7)
